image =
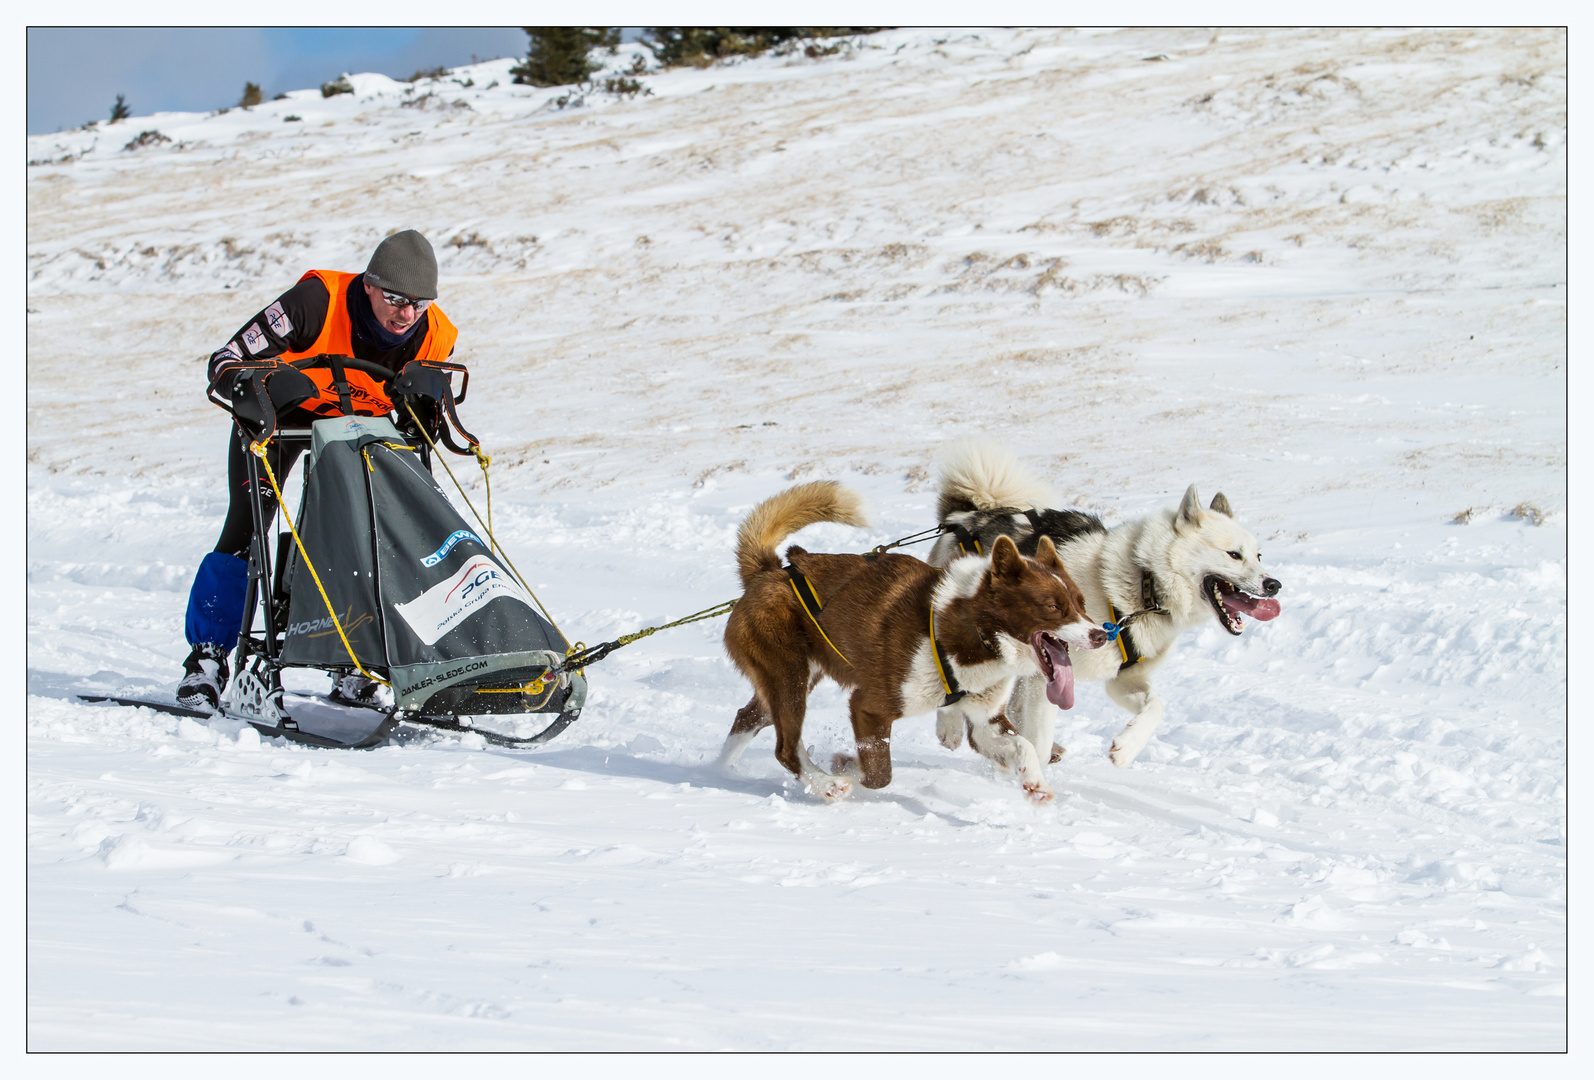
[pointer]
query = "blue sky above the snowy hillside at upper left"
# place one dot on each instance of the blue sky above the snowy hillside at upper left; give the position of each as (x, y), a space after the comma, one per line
(74, 74)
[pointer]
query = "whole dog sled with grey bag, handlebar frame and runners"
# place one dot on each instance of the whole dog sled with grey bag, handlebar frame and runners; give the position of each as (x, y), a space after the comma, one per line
(380, 577)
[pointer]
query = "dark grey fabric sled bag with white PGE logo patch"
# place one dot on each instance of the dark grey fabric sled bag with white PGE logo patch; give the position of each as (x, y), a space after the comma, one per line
(418, 593)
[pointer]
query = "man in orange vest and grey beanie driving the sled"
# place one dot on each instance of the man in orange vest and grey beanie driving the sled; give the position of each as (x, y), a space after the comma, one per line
(387, 316)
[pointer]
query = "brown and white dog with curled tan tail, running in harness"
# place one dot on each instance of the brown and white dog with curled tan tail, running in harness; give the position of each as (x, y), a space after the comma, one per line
(868, 625)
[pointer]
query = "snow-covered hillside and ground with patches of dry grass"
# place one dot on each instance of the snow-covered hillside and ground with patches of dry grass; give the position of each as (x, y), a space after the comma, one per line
(1319, 272)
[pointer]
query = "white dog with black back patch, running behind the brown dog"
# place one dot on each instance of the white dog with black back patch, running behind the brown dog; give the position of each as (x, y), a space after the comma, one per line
(1155, 577)
